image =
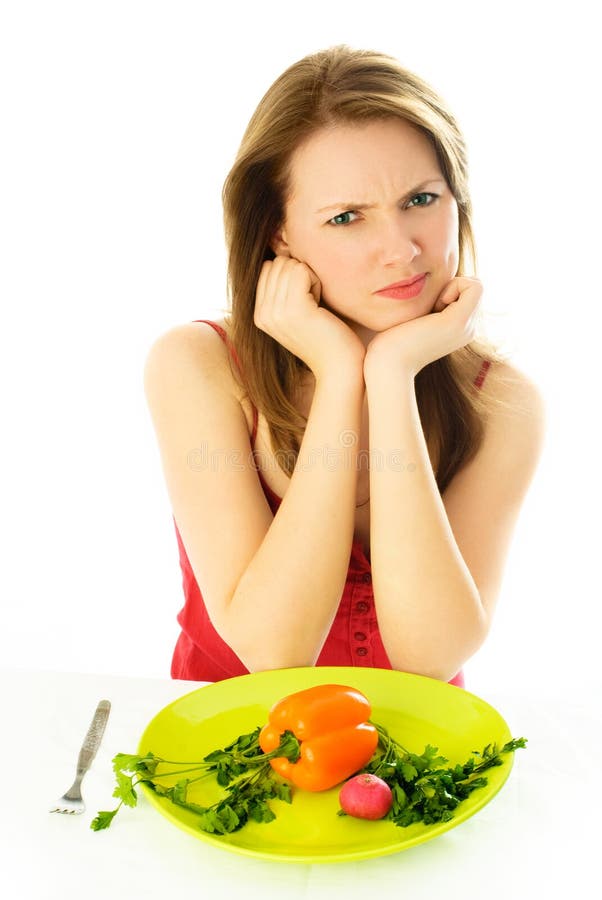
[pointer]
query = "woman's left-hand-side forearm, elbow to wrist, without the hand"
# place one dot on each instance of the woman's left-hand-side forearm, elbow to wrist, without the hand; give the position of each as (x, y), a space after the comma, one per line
(285, 602)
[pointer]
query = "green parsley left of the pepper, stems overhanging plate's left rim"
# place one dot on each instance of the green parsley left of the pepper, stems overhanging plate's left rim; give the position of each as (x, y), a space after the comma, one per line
(241, 767)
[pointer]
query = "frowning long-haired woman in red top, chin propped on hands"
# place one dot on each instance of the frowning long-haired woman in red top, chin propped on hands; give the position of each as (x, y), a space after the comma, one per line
(345, 460)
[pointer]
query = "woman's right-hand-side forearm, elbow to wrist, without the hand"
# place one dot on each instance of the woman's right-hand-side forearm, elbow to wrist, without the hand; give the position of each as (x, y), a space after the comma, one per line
(428, 606)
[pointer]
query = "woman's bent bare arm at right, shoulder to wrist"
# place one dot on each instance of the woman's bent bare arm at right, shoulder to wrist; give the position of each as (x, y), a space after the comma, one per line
(438, 562)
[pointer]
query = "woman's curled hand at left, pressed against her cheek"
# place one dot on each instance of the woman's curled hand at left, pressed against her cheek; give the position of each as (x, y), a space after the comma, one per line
(287, 308)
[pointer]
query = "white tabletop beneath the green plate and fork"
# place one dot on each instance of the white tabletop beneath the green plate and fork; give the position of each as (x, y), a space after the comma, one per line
(541, 831)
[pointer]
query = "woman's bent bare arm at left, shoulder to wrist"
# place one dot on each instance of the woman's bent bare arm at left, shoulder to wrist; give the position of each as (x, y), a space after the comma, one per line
(271, 584)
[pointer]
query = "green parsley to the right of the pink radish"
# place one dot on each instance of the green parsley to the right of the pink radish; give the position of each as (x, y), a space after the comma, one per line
(424, 789)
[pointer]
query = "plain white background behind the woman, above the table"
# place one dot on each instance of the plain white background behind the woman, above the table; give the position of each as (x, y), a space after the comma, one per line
(120, 121)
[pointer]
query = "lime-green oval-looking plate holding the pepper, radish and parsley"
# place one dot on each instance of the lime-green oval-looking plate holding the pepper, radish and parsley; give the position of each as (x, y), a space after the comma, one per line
(415, 710)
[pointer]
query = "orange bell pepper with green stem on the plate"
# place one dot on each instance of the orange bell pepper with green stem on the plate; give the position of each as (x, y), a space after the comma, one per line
(336, 740)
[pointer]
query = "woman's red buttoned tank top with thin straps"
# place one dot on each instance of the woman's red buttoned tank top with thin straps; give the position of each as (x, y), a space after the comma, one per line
(354, 639)
